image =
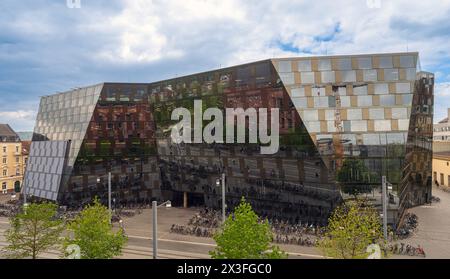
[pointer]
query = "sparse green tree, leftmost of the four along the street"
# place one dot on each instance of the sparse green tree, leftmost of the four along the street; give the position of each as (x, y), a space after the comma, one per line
(33, 231)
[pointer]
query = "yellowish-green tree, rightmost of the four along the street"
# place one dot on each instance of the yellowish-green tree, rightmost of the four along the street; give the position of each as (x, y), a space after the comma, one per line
(351, 229)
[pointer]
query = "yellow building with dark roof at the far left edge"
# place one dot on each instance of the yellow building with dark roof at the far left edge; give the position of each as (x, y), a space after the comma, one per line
(12, 160)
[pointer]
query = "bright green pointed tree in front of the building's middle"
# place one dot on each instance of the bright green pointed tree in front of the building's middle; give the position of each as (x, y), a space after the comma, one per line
(245, 236)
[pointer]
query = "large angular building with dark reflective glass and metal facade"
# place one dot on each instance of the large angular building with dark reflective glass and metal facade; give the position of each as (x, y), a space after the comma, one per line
(345, 121)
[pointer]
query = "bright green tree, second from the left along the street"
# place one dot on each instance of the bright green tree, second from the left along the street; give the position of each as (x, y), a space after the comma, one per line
(92, 232)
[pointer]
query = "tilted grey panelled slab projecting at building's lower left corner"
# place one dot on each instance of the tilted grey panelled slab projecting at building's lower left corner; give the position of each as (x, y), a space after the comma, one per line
(45, 168)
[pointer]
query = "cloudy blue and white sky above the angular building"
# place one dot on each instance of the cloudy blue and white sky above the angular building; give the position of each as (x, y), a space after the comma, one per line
(47, 47)
